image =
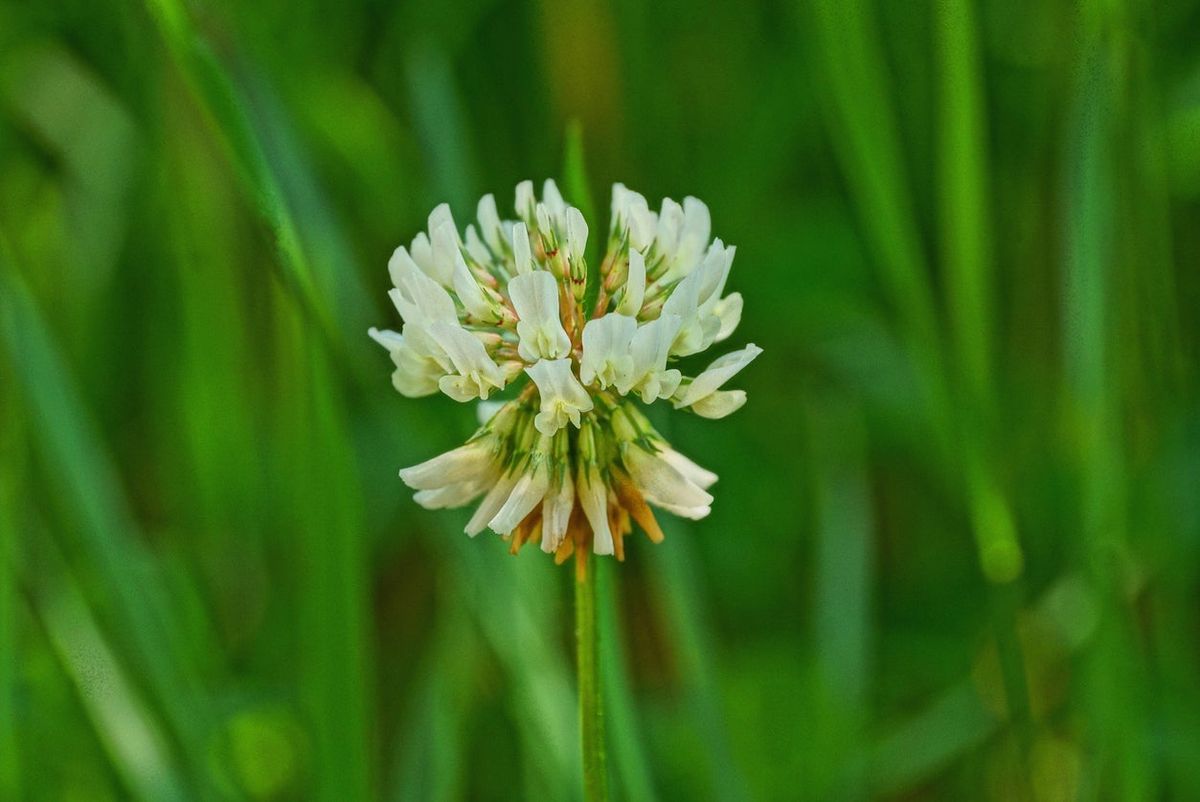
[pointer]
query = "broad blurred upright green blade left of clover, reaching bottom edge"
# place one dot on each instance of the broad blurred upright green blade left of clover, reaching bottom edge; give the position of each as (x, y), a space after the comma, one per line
(323, 508)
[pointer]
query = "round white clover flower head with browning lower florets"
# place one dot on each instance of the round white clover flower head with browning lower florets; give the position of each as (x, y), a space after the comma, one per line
(568, 459)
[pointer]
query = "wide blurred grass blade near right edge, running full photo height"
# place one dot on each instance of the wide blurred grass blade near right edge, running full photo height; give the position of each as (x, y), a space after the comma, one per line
(1115, 692)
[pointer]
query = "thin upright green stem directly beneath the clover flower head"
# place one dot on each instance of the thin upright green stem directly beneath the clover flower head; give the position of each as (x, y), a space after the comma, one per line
(596, 774)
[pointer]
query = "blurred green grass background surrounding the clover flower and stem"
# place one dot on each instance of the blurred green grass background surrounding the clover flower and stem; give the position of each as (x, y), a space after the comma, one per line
(956, 552)
